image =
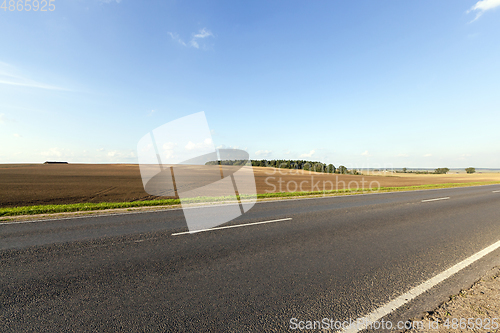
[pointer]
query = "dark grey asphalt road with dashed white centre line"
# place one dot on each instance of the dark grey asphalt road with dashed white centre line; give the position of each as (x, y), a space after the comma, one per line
(337, 257)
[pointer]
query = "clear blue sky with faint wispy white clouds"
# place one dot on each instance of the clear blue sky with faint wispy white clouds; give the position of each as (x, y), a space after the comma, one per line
(359, 83)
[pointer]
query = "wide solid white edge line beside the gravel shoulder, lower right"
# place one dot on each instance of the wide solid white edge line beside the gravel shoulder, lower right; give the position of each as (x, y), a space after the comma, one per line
(413, 293)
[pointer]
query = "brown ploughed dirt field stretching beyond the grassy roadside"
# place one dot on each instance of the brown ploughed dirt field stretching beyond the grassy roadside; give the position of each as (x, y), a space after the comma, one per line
(34, 184)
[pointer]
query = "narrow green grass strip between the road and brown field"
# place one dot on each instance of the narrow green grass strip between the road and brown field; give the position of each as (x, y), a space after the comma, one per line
(81, 207)
